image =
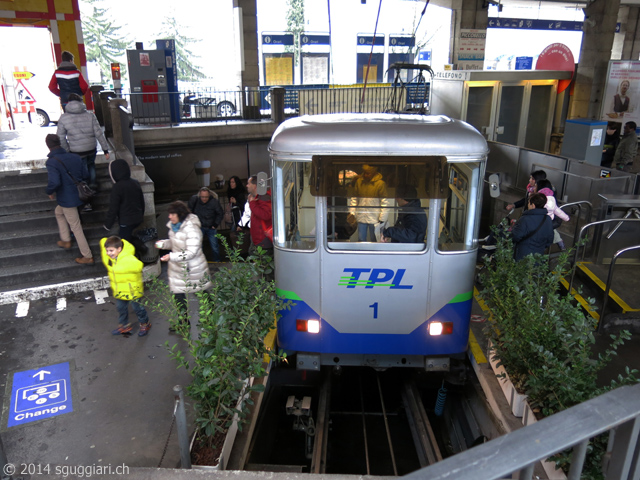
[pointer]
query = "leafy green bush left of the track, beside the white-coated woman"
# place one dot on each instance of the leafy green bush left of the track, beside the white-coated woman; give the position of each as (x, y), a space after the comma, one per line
(235, 316)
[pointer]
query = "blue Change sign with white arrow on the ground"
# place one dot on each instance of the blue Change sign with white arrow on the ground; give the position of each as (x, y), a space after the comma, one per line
(41, 393)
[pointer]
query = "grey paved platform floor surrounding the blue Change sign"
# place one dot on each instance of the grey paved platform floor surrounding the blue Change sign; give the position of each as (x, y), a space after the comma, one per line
(121, 386)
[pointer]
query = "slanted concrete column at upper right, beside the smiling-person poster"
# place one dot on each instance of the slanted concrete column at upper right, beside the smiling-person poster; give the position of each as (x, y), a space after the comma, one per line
(599, 27)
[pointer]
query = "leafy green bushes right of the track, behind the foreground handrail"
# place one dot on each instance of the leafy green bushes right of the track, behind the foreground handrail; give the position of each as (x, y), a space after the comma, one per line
(544, 340)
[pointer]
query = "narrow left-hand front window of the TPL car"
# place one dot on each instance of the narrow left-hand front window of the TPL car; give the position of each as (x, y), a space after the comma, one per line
(295, 212)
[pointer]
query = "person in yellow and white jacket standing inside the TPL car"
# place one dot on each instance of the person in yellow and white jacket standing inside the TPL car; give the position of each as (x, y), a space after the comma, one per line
(370, 190)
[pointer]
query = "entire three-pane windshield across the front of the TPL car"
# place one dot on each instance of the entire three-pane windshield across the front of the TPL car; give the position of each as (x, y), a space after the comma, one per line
(376, 203)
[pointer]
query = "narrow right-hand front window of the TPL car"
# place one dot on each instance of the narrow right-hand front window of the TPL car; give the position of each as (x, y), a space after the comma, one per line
(459, 215)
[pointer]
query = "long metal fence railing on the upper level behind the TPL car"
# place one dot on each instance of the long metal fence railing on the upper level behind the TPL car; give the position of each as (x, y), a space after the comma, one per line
(209, 105)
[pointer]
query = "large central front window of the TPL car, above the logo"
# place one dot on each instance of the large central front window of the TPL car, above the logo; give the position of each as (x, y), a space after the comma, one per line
(378, 203)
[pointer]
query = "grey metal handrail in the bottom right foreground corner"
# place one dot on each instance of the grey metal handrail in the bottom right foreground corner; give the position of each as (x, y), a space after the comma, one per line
(617, 412)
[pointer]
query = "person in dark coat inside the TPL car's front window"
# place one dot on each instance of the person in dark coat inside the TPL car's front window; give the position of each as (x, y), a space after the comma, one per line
(411, 226)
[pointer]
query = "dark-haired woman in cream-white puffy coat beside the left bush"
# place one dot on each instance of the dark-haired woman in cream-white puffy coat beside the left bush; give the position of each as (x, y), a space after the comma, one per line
(188, 270)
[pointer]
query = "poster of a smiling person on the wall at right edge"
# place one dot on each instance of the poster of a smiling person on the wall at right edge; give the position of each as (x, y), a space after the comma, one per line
(621, 99)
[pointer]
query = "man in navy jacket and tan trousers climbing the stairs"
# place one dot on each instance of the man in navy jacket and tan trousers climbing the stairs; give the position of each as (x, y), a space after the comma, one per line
(62, 188)
